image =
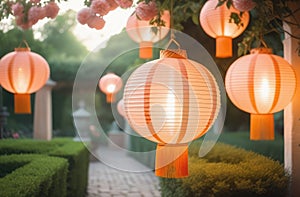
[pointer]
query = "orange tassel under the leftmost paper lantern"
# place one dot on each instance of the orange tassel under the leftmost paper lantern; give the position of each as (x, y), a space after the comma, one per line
(22, 103)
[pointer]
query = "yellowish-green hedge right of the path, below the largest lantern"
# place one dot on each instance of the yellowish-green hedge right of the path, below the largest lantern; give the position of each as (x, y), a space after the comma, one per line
(228, 171)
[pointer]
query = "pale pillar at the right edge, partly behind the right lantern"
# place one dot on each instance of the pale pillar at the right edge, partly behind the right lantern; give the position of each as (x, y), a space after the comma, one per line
(292, 113)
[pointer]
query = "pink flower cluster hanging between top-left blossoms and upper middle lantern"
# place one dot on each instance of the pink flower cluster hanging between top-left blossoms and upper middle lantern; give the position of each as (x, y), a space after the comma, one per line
(93, 14)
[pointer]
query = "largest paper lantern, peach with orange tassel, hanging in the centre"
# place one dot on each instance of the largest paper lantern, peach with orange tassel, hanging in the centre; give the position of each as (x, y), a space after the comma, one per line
(171, 101)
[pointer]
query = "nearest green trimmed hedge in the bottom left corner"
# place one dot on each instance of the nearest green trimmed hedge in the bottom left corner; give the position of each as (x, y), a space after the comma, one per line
(33, 175)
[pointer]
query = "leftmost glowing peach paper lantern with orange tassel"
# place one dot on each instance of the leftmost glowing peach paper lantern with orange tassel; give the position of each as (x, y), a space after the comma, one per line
(23, 72)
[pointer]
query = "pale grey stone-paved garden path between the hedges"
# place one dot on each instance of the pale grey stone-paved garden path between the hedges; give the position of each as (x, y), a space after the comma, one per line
(106, 181)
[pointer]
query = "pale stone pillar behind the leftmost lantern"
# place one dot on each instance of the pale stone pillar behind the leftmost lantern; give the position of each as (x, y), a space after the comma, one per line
(42, 123)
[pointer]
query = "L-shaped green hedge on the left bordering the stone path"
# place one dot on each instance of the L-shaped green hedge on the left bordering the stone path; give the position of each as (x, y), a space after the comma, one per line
(75, 152)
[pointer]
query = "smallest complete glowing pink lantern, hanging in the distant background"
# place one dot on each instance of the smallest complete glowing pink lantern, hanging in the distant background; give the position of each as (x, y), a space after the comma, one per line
(110, 84)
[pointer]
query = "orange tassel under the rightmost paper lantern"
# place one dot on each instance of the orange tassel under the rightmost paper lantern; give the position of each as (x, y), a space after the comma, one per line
(262, 127)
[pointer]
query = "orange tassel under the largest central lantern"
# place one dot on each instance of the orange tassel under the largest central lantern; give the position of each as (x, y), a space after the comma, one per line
(171, 161)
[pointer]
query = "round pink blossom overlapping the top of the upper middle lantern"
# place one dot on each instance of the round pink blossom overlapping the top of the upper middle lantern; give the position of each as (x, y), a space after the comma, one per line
(146, 11)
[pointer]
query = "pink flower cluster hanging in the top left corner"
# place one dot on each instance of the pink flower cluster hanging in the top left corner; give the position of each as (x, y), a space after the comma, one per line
(29, 12)
